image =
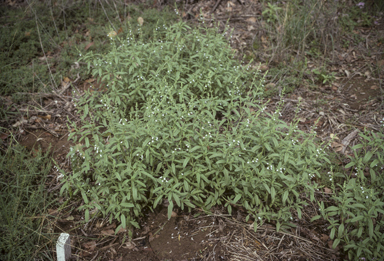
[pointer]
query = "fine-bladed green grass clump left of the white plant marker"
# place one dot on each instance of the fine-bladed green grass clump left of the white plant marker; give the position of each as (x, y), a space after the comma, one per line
(23, 202)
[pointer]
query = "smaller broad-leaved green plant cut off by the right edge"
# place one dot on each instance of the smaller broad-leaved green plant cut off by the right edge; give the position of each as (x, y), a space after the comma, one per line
(357, 216)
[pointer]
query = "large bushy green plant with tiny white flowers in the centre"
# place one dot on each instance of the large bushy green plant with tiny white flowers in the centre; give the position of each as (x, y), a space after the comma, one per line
(169, 127)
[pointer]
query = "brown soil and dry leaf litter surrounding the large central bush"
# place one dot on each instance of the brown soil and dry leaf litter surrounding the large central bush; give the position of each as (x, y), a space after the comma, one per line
(350, 104)
